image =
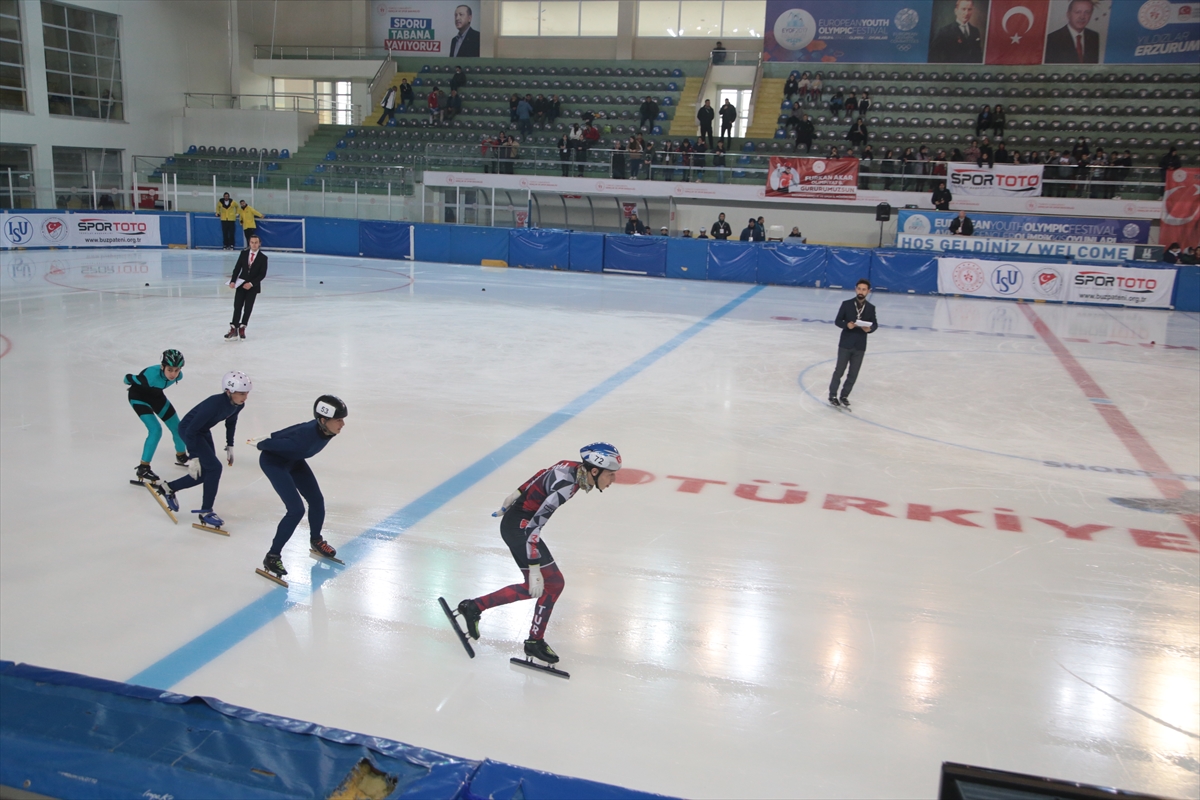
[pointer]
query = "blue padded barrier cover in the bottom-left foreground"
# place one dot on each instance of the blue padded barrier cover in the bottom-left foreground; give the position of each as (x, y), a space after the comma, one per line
(68, 735)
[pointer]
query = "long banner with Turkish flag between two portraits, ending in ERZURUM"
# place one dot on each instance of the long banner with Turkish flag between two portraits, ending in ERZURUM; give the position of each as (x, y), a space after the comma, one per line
(983, 32)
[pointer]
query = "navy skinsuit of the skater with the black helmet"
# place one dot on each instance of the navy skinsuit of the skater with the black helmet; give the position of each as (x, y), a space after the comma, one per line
(284, 464)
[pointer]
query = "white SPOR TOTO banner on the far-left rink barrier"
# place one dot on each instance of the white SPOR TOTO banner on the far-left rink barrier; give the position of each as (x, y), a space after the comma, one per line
(97, 230)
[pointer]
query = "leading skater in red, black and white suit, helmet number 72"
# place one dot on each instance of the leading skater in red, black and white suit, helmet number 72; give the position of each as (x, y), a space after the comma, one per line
(525, 513)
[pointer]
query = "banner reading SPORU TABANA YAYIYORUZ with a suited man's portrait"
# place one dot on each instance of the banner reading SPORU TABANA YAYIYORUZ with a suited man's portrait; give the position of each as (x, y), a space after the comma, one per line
(434, 28)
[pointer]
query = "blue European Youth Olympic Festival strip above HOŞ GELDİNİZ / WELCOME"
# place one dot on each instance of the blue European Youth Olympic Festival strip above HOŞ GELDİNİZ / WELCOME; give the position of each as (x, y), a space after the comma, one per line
(1017, 226)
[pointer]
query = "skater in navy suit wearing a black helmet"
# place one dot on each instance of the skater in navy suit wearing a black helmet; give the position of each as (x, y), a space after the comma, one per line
(284, 464)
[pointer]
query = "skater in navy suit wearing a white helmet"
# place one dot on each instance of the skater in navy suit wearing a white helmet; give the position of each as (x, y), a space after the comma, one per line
(197, 434)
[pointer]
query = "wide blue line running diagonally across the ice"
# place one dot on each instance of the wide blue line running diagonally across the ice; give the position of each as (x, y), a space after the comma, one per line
(219, 640)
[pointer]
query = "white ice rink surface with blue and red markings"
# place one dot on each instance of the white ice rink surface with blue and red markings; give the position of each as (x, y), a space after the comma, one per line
(781, 600)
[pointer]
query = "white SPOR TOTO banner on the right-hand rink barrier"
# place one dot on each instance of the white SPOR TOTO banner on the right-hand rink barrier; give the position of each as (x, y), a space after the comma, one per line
(1057, 282)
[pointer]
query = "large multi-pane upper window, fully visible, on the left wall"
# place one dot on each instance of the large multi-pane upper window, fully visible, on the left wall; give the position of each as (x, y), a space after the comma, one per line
(83, 63)
